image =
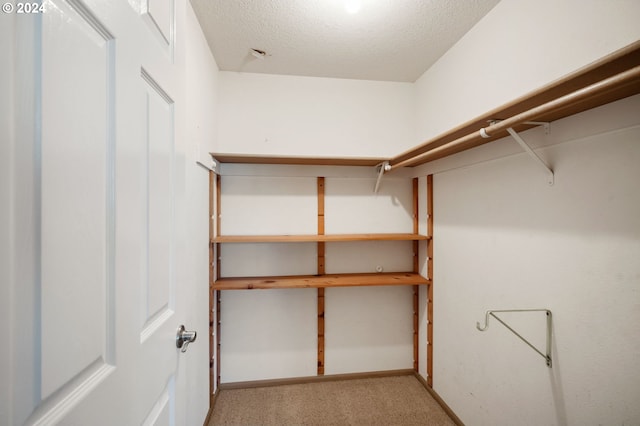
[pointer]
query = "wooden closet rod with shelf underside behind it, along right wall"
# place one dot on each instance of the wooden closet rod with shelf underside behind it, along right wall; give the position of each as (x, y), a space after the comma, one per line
(626, 78)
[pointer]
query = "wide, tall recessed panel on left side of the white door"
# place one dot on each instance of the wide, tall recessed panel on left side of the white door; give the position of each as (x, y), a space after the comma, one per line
(77, 208)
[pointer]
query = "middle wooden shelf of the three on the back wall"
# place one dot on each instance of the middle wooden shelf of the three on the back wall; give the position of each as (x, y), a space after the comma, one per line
(316, 238)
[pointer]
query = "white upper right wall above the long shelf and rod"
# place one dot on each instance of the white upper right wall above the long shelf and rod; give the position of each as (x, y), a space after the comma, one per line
(519, 46)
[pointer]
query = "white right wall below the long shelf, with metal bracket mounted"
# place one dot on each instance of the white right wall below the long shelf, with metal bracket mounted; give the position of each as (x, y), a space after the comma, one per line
(507, 240)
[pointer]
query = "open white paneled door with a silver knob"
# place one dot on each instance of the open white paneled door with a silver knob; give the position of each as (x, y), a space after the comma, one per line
(92, 218)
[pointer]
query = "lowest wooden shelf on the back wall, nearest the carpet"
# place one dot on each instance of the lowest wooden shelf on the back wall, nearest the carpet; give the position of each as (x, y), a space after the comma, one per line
(320, 281)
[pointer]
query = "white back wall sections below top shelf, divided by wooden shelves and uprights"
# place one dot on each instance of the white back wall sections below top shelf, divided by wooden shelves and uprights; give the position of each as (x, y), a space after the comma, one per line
(269, 334)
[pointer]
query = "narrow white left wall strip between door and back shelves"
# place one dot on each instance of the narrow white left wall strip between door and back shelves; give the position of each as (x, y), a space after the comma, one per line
(200, 71)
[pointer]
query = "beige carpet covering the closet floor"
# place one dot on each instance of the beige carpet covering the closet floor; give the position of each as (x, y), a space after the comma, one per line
(398, 400)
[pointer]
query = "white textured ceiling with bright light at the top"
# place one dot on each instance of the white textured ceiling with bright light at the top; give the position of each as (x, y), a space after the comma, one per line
(392, 40)
